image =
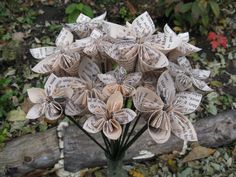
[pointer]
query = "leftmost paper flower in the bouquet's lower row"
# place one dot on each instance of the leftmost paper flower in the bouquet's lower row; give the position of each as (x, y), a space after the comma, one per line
(48, 100)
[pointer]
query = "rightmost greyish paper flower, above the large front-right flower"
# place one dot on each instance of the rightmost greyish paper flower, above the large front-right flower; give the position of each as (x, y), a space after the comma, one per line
(186, 76)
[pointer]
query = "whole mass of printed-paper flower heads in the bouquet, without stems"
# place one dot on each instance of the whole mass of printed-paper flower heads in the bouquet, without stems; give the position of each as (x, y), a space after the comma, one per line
(96, 71)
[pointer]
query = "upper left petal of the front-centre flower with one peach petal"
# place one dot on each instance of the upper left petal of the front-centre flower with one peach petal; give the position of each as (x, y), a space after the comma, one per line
(97, 106)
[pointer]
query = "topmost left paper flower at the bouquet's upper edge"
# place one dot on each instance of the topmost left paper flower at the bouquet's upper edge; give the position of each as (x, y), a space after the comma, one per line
(85, 25)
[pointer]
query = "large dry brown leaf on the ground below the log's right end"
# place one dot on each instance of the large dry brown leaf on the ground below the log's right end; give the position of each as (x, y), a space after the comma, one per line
(198, 152)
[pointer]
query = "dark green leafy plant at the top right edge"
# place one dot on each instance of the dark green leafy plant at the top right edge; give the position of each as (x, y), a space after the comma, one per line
(195, 14)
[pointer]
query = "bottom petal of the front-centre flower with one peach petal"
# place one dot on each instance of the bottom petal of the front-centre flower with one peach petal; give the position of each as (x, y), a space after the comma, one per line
(112, 129)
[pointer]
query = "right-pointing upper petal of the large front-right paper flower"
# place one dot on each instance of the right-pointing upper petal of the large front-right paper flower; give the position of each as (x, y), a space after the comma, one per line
(187, 102)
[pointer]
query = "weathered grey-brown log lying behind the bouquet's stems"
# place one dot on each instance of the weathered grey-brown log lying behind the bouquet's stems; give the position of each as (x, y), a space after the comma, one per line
(39, 151)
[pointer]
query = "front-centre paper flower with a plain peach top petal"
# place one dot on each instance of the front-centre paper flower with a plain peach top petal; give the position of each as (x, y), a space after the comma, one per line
(108, 117)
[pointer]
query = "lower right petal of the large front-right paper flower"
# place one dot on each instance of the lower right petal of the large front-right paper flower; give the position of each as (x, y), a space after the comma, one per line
(182, 127)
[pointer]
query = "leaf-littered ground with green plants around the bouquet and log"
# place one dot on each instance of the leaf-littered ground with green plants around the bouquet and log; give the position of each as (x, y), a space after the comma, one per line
(32, 23)
